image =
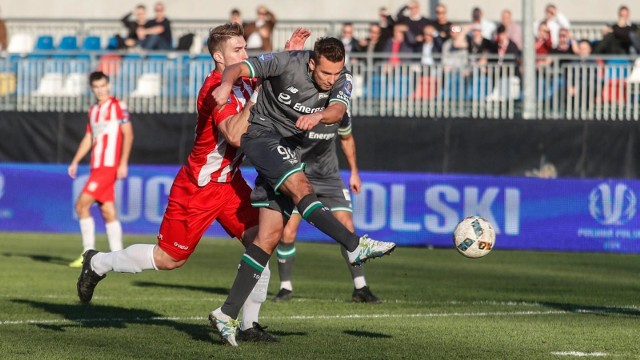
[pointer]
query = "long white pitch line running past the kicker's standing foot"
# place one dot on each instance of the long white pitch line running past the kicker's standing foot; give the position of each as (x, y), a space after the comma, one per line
(300, 317)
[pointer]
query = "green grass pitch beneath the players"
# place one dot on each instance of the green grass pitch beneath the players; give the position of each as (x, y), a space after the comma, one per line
(437, 305)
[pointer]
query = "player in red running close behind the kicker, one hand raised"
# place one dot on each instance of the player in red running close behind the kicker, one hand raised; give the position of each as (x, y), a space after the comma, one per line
(208, 187)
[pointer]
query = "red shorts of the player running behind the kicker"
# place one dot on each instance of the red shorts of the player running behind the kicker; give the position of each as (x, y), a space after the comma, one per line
(192, 209)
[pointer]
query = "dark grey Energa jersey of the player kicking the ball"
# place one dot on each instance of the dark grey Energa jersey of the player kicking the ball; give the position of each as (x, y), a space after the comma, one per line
(289, 92)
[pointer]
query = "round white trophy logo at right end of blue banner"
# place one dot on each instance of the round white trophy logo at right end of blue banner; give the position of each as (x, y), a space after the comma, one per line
(612, 205)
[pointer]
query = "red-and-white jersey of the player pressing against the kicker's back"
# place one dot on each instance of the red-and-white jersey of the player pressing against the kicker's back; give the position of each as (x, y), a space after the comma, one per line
(212, 158)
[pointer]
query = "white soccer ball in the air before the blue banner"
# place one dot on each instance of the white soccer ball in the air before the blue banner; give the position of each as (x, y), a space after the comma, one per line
(474, 237)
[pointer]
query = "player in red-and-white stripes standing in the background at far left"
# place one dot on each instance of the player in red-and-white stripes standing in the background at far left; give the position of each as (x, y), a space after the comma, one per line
(109, 137)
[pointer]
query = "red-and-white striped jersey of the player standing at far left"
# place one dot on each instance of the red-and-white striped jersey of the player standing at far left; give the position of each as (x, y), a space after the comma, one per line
(104, 125)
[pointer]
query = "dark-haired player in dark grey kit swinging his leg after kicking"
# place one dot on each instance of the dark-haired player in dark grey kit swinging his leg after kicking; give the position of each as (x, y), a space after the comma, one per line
(300, 90)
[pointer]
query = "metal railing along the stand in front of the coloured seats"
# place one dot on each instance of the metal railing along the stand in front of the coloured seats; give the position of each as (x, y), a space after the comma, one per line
(602, 88)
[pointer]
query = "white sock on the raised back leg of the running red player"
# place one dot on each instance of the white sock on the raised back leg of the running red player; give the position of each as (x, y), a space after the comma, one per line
(133, 259)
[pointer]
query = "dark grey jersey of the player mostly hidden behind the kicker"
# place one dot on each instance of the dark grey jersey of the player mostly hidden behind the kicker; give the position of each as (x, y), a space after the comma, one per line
(319, 149)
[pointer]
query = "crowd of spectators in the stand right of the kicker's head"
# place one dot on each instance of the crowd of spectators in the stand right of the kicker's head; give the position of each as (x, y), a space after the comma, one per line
(455, 45)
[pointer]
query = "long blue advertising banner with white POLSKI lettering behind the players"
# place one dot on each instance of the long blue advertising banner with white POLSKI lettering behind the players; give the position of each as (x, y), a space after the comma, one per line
(408, 208)
